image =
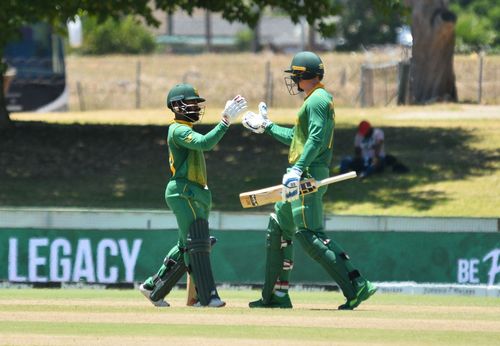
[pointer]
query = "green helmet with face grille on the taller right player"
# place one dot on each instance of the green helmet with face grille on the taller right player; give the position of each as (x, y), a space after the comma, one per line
(305, 65)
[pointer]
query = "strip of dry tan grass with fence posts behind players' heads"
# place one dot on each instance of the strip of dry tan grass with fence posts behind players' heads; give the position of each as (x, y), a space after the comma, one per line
(126, 82)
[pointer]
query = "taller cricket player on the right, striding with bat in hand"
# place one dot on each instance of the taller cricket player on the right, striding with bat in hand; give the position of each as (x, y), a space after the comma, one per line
(301, 216)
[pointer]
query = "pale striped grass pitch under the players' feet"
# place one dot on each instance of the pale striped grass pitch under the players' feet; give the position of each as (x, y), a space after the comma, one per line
(124, 317)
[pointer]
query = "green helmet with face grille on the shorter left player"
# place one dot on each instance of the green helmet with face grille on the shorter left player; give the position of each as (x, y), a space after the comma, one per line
(183, 99)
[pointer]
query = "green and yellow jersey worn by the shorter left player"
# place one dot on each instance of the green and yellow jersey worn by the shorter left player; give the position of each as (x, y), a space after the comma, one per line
(186, 148)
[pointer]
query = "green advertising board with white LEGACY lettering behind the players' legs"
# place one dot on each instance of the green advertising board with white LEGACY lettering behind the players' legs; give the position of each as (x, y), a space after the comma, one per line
(126, 256)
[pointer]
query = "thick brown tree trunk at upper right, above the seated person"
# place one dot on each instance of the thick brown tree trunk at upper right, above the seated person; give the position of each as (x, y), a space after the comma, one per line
(432, 78)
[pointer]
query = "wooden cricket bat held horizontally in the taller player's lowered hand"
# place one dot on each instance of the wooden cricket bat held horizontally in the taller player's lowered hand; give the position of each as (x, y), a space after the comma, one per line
(272, 194)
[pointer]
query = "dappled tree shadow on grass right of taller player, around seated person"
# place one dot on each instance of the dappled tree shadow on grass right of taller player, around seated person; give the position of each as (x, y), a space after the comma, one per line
(432, 154)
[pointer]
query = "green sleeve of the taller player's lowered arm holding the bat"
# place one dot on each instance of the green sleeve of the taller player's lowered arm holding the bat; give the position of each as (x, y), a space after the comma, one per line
(318, 136)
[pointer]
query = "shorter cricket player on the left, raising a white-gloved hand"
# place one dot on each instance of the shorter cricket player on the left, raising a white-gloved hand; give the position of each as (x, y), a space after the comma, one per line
(188, 196)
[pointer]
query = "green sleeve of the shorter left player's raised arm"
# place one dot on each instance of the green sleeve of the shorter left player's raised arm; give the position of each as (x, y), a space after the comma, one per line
(186, 137)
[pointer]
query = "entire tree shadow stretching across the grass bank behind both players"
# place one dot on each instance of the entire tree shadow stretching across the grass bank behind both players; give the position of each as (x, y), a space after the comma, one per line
(127, 166)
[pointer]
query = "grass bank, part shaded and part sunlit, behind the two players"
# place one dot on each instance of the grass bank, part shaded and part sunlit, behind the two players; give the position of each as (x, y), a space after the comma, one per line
(118, 159)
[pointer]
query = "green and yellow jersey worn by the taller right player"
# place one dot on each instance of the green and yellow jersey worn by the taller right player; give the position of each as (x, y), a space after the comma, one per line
(311, 139)
